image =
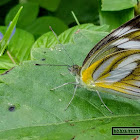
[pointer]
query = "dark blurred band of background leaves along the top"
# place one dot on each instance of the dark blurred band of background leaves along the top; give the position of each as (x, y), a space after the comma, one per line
(38, 15)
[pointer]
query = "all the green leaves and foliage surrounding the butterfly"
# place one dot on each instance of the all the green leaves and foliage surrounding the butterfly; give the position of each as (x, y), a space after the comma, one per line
(29, 109)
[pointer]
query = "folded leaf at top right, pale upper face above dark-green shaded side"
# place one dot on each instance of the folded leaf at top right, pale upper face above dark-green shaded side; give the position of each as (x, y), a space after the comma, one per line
(110, 15)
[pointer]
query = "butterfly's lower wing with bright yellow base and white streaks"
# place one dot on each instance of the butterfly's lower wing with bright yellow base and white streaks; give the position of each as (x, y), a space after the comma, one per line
(119, 72)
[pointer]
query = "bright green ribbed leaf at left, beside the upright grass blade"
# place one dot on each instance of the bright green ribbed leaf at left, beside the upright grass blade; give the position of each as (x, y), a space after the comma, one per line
(20, 46)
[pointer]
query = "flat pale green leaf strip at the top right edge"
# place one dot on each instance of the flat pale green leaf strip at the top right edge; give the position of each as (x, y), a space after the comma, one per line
(117, 5)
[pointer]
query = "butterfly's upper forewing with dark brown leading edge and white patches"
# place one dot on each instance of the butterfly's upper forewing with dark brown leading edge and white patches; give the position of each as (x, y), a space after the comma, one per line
(125, 37)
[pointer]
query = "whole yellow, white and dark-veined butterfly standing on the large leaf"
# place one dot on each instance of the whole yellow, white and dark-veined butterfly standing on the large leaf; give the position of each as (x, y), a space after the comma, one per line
(113, 64)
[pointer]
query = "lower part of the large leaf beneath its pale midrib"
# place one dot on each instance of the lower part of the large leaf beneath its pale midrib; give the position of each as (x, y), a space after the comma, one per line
(93, 129)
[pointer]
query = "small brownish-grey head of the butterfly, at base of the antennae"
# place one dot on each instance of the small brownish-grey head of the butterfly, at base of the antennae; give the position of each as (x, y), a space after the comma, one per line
(74, 70)
